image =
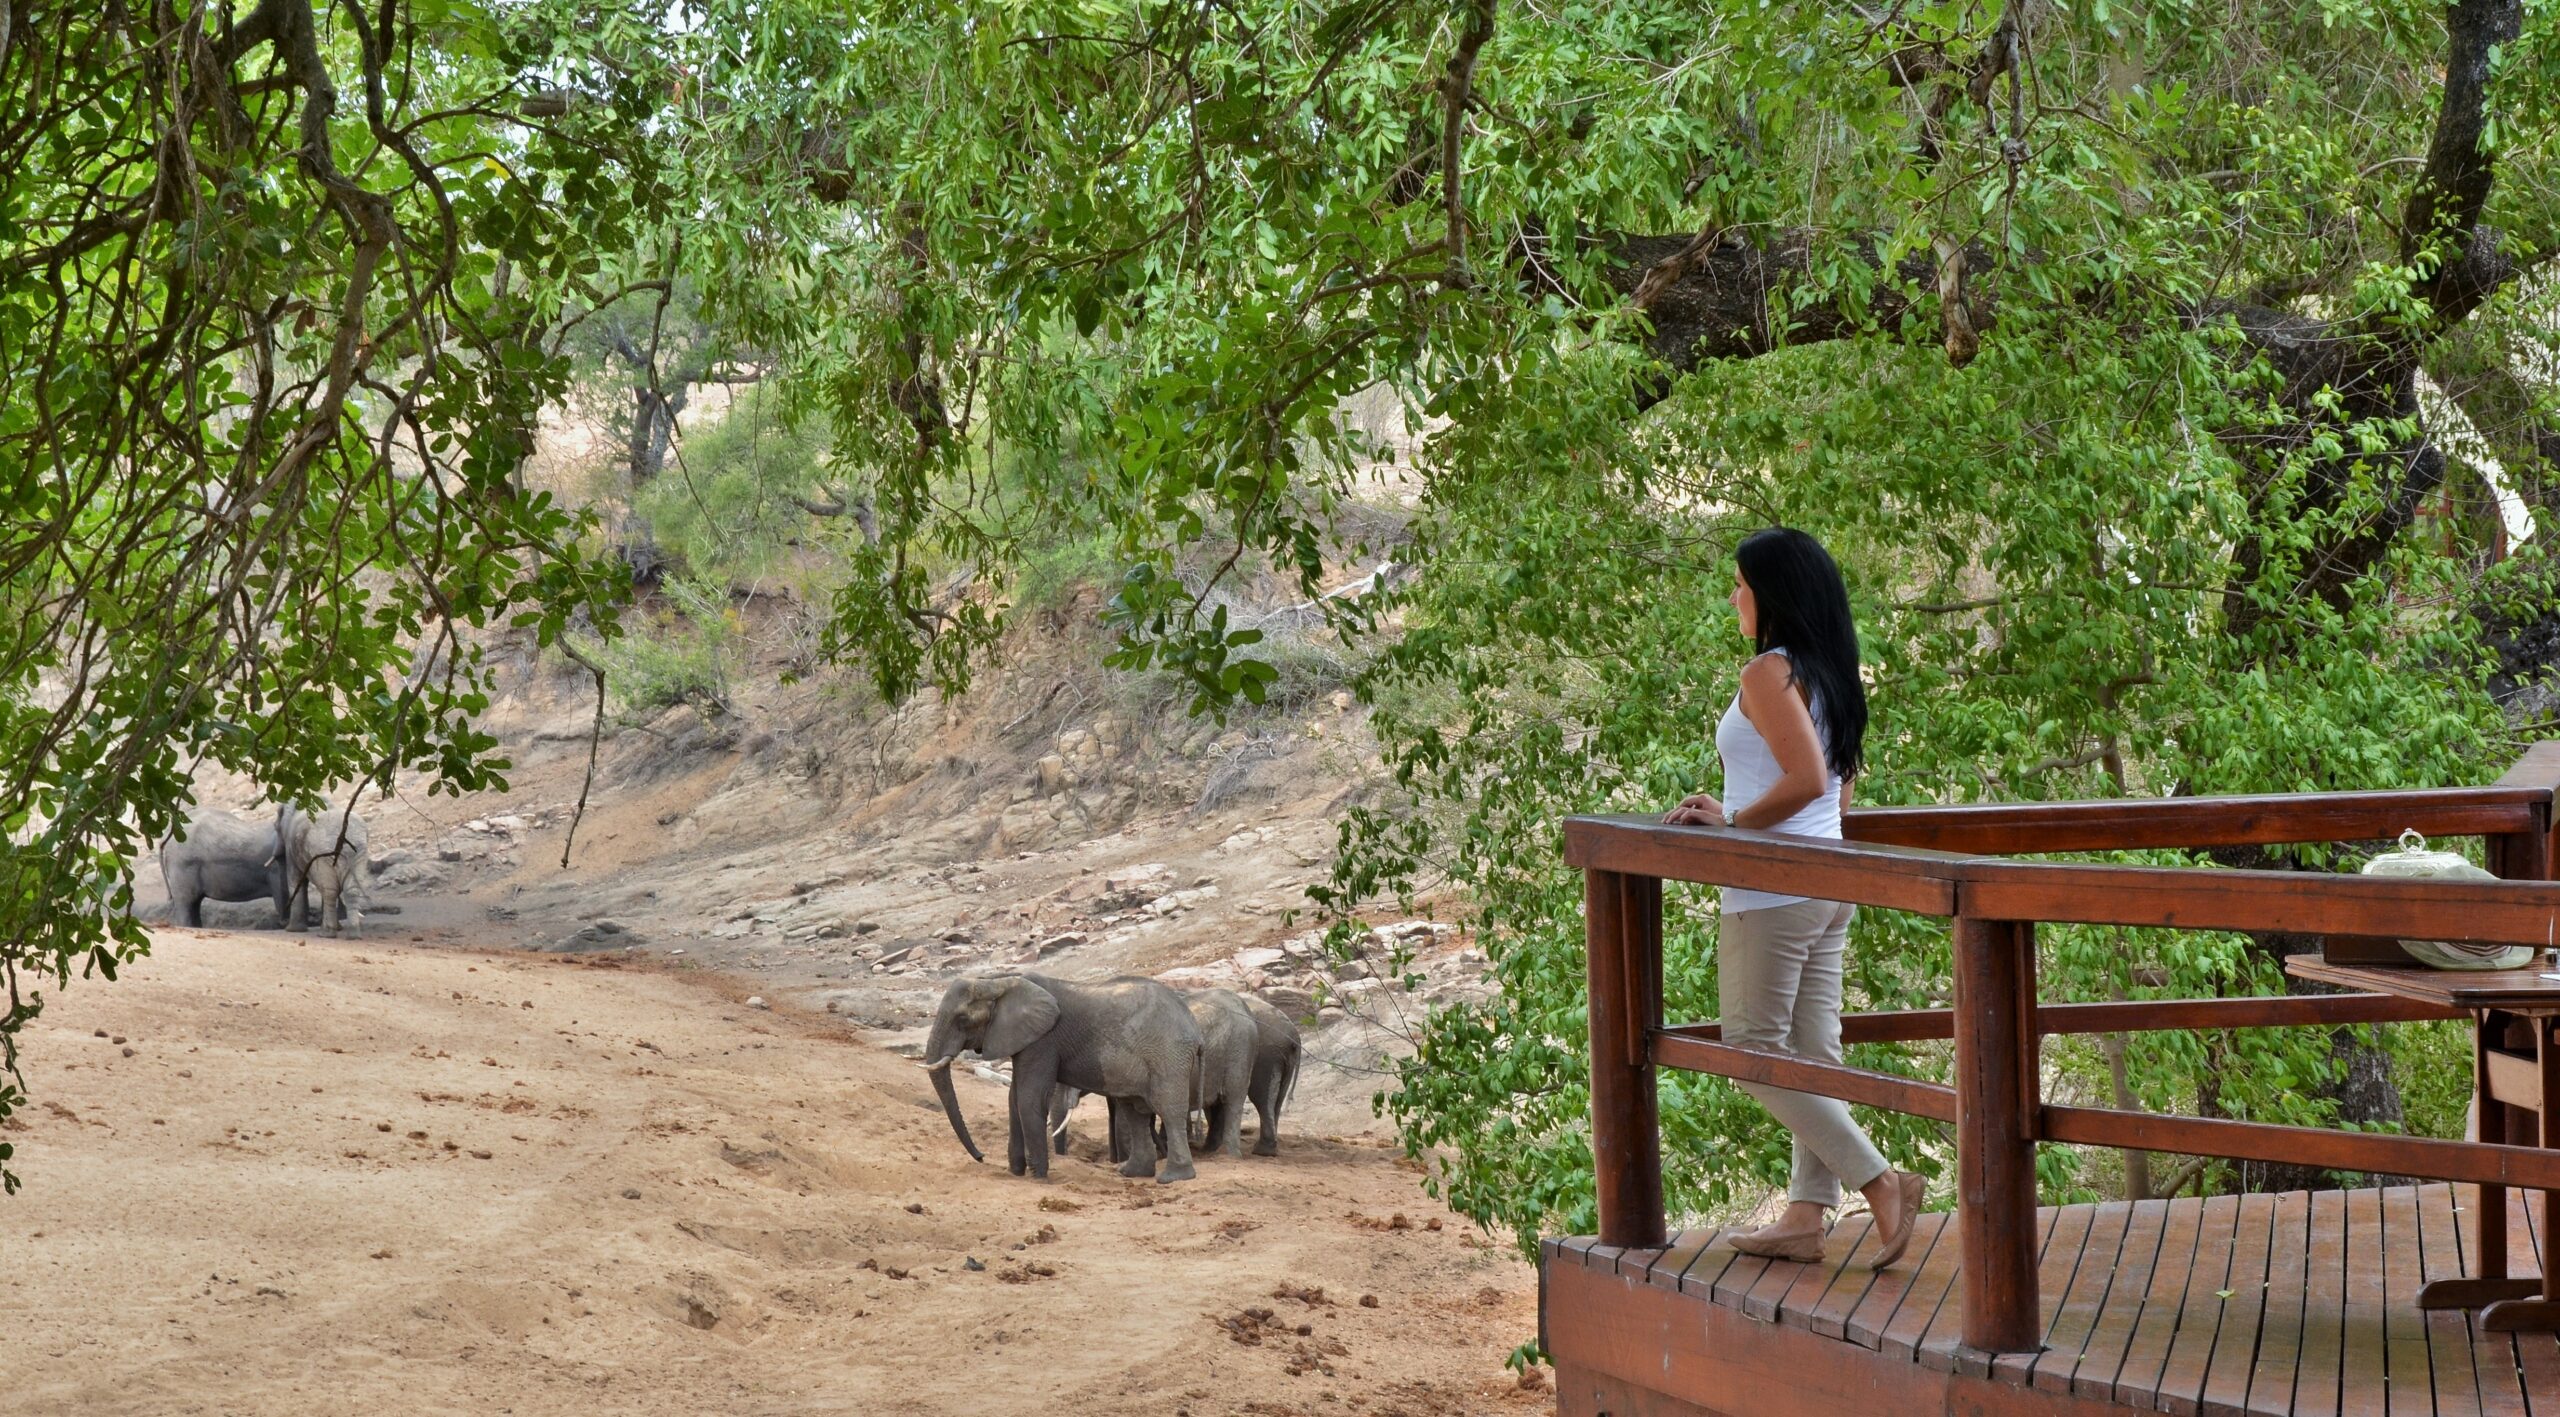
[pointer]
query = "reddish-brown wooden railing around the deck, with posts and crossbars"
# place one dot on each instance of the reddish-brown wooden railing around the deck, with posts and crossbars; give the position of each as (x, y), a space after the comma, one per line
(1949, 863)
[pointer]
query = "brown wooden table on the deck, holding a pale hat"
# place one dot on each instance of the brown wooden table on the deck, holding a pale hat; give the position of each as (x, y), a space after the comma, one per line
(2515, 1047)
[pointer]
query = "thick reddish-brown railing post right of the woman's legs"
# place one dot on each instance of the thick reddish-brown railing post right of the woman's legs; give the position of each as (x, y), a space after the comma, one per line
(1996, 1137)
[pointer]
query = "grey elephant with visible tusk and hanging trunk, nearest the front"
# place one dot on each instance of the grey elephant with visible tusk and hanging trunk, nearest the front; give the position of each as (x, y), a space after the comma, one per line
(1128, 1040)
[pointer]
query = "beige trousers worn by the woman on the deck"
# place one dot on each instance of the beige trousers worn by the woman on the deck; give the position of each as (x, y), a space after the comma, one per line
(1778, 981)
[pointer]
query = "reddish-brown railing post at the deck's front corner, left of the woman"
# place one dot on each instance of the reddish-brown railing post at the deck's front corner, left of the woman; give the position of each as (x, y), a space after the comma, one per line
(1622, 930)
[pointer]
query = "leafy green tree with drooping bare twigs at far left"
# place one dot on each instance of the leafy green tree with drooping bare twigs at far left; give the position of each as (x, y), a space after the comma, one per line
(278, 306)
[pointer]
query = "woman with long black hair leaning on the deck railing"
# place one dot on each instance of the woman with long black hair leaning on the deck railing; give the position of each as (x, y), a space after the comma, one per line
(1791, 746)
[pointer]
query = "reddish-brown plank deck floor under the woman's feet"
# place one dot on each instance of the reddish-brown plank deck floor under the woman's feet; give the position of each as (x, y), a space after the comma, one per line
(2282, 1306)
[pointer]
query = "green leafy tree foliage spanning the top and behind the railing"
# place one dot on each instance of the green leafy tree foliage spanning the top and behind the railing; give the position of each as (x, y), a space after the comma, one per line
(2172, 380)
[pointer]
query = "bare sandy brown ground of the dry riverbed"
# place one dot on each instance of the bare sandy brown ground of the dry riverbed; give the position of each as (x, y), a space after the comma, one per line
(367, 1178)
